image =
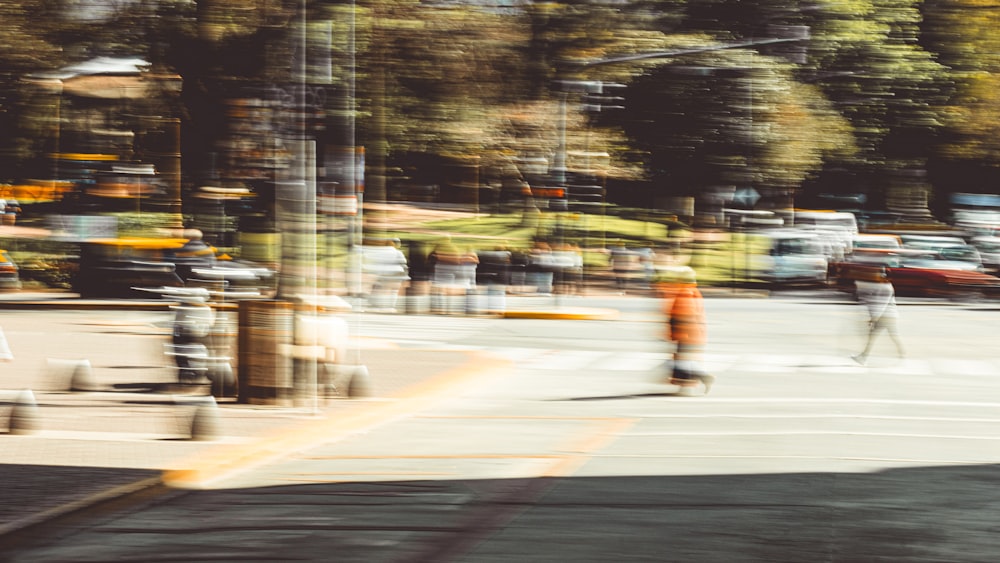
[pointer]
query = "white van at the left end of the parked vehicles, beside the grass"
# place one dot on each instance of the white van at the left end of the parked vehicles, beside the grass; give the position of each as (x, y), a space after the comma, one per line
(781, 256)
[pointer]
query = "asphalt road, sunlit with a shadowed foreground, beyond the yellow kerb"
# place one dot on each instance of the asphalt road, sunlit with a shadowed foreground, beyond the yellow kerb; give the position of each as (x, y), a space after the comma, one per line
(576, 451)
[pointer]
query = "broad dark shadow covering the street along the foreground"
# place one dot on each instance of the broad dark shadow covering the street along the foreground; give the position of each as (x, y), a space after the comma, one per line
(946, 513)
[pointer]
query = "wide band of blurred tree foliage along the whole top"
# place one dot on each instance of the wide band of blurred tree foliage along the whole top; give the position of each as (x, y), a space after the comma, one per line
(879, 86)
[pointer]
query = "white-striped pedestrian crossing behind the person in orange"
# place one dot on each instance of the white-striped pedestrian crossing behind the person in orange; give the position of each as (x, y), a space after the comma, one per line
(774, 364)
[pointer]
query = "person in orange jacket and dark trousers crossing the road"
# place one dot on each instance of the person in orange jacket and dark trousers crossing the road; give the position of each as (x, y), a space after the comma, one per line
(684, 308)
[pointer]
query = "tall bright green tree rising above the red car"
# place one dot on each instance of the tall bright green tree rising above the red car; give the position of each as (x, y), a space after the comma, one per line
(866, 58)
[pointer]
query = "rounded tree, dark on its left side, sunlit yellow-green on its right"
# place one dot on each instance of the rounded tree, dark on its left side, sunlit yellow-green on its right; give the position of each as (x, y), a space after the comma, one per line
(738, 118)
